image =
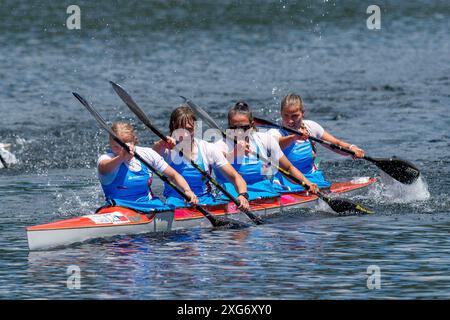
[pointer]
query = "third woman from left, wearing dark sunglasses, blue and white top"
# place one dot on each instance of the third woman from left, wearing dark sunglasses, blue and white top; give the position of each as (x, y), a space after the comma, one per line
(248, 153)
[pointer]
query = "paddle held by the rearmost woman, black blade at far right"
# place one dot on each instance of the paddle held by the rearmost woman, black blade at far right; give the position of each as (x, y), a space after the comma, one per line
(399, 169)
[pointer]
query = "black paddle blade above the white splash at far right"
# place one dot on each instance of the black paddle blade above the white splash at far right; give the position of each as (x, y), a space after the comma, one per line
(399, 169)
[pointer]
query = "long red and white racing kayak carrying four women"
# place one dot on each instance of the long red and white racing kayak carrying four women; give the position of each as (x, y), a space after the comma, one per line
(113, 221)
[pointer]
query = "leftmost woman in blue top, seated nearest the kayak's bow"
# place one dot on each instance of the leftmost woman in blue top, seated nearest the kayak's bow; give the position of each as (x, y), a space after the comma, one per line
(126, 181)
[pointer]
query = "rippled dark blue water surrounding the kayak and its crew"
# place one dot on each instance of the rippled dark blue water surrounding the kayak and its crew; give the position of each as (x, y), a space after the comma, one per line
(386, 91)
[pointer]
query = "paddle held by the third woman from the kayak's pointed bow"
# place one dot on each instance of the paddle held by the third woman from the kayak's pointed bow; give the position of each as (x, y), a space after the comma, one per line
(339, 205)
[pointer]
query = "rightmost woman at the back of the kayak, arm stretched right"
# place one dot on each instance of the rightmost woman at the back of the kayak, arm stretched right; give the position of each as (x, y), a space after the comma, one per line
(299, 149)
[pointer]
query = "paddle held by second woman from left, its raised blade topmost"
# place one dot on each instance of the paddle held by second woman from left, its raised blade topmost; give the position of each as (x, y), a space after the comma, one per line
(143, 117)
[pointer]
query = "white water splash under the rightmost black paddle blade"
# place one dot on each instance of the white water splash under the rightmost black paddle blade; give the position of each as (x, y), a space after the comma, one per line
(388, 190)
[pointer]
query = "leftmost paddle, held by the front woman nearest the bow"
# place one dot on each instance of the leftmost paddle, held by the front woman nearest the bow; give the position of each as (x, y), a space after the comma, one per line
(217, 223)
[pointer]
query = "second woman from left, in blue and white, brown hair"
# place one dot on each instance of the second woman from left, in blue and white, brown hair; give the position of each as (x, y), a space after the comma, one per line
(204, 154)
